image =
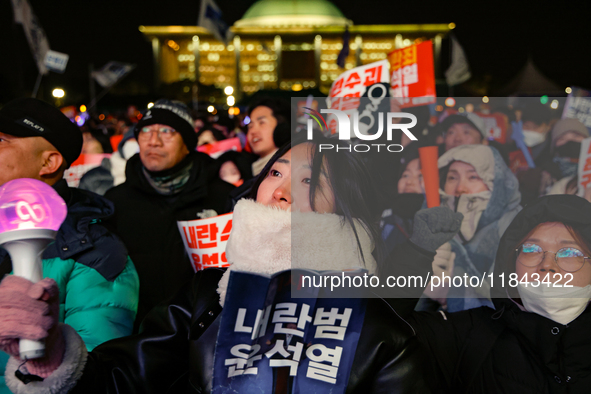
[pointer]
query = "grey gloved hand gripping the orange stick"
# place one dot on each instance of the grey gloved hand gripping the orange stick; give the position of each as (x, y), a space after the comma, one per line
(435, 226)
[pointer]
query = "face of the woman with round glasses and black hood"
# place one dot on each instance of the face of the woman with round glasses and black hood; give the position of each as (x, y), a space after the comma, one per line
(551, 237)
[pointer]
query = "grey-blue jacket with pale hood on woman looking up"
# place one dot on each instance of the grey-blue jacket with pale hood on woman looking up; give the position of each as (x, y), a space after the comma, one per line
(476, 257)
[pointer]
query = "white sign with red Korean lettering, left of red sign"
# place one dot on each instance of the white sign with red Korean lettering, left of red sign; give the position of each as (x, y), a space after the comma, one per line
(351, 85)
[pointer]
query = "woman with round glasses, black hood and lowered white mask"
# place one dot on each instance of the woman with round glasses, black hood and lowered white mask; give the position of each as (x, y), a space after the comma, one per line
(537, 338)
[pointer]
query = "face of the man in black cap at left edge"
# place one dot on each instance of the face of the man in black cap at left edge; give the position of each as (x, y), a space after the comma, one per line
(20, 157)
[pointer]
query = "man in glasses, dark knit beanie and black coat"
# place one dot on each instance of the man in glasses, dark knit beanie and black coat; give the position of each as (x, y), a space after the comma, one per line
(166, 181)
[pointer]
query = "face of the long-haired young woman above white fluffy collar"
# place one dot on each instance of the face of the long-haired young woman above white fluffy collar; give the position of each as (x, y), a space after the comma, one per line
(287, 186)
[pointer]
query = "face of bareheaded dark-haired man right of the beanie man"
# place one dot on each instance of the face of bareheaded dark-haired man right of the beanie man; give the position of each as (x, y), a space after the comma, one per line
(260, 131)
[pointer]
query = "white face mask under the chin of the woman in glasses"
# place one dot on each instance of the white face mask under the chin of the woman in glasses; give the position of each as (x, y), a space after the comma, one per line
(559, 304)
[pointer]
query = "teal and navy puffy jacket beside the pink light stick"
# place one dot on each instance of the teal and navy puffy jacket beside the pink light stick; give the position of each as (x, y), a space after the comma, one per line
(98, 283)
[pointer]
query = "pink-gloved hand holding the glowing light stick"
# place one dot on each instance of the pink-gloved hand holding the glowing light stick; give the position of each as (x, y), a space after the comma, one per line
(31, 311)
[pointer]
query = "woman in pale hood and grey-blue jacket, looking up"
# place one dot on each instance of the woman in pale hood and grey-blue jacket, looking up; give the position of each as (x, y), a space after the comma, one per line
(476, 182)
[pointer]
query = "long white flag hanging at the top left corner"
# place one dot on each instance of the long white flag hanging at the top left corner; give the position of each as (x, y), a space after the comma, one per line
(35, 34)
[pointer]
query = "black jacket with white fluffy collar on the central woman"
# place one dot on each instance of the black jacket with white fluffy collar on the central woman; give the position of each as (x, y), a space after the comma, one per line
(175, 350)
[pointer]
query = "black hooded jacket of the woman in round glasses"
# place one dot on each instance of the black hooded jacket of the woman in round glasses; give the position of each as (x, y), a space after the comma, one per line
(511, 350)
